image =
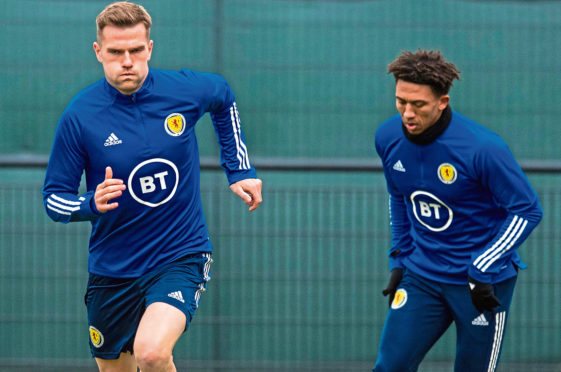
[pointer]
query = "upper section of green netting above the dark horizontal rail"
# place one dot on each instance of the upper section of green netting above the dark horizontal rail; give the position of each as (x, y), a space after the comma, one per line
(309, 75)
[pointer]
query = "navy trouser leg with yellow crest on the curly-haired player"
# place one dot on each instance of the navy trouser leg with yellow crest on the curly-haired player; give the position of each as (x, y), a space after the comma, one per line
(416, 320)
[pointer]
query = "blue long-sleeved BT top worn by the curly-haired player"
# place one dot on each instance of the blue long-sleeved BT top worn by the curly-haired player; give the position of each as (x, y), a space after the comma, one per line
(459, 205)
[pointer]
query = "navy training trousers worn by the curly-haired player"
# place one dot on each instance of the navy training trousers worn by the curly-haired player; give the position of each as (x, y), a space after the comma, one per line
(423, 310)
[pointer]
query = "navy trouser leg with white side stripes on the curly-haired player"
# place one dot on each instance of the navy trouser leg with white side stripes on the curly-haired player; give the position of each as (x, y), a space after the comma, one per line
(479, 335)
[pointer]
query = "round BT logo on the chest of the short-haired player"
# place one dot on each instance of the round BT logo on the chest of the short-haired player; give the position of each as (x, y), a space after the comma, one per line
(153, 182)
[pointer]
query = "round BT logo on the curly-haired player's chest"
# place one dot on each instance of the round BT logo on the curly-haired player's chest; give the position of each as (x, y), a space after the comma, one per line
(430, 211)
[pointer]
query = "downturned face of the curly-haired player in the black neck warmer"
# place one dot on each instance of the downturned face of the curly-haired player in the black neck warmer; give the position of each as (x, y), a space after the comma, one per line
(418, 106)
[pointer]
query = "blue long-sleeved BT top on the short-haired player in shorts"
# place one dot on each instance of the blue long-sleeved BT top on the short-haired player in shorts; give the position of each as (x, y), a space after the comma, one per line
(148, 139)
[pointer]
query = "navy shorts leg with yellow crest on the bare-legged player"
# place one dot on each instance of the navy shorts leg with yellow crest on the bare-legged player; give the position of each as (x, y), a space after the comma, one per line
(114, 309)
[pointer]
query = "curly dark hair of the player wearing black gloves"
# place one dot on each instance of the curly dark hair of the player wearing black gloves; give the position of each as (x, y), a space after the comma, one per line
(425, 67)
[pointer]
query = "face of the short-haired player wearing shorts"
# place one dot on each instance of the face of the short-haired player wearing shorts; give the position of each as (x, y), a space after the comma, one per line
(124, 54)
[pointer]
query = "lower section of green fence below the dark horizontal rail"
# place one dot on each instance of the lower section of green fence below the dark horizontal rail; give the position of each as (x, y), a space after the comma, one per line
(295, 285)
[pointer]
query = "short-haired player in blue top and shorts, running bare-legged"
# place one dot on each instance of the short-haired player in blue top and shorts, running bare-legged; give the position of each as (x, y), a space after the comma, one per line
(132, 133)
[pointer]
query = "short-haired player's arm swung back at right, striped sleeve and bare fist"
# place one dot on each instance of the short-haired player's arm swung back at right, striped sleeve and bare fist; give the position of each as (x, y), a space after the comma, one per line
(234, 157)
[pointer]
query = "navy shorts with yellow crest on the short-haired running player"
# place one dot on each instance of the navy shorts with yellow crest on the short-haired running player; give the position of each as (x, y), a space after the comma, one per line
(116, 305)
